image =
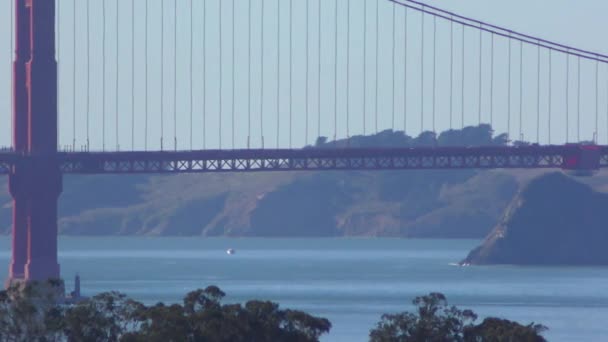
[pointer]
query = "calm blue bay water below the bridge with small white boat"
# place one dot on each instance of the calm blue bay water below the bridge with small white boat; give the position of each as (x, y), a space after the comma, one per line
(349, 281)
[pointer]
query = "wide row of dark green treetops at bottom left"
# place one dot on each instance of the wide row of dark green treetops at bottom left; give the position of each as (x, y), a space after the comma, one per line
(30, 315)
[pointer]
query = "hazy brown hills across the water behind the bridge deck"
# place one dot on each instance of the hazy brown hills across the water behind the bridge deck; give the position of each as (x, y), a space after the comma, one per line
(427, 203)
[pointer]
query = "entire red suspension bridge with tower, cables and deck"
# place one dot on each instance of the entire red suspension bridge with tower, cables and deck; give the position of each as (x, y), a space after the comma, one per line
(243, 86)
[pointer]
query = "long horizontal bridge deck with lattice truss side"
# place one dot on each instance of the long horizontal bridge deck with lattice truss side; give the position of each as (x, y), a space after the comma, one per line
(252, 160)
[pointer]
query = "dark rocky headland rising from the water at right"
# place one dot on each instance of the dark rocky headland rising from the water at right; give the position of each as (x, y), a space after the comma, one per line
(554, 220)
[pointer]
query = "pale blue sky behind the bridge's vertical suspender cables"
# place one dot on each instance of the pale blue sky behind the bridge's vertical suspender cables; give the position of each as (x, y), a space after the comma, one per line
(197, 103)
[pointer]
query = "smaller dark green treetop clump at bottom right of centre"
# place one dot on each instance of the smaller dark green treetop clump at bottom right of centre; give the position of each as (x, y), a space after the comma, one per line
(436, 321)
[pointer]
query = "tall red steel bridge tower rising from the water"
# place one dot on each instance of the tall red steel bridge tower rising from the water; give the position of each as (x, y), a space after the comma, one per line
(35, 183)
